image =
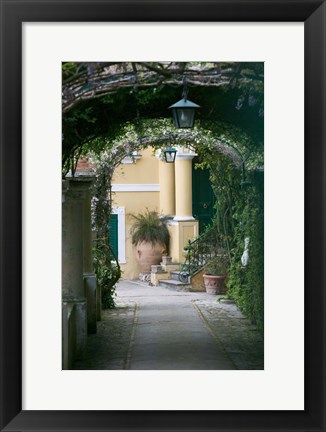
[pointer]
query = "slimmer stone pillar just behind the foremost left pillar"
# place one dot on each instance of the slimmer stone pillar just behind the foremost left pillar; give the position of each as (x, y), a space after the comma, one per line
(83, 183)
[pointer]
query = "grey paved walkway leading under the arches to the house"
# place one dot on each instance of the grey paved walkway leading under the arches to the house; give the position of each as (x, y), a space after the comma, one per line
(156, 328)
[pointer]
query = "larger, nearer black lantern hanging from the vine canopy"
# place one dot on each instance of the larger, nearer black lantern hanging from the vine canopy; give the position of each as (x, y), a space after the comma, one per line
(184, 111)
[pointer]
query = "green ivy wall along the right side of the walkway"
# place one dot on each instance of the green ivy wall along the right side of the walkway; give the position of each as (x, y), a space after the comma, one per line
(240, 215)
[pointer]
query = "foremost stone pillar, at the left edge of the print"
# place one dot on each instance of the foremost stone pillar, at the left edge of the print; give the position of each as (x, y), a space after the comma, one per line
(73, 294)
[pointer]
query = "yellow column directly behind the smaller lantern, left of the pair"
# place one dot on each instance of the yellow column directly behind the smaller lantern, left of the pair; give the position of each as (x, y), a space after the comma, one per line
(167, 194)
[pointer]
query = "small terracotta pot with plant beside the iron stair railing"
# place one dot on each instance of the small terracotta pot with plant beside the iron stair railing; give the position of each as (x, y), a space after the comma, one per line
(215, 275)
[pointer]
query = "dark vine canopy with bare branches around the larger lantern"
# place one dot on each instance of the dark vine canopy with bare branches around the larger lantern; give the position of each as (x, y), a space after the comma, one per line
(100, 98)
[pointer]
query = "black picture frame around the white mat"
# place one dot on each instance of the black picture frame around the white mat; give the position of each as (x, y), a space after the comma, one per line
(13, 14)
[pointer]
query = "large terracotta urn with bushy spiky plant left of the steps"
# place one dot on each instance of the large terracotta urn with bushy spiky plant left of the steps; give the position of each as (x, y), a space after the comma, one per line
(151, 238)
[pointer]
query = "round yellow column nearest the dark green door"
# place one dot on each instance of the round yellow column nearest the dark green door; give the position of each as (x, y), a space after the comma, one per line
(183, 186)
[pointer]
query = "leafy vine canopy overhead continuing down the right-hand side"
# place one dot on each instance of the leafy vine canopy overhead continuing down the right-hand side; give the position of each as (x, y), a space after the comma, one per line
(111, 110)
